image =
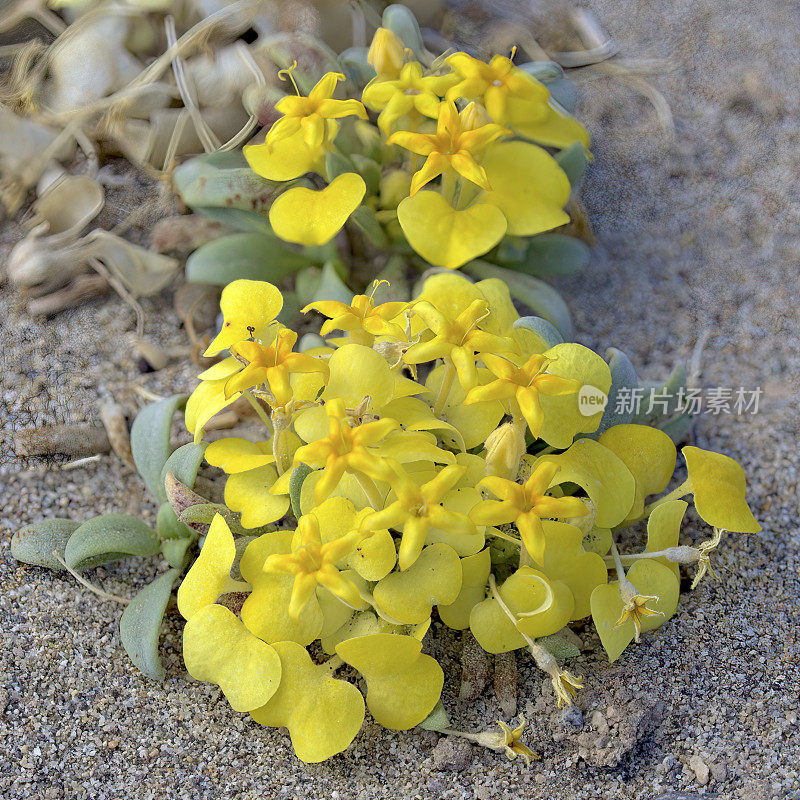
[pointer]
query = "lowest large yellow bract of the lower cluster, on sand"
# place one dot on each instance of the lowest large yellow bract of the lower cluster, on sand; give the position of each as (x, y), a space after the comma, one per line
(323, 714)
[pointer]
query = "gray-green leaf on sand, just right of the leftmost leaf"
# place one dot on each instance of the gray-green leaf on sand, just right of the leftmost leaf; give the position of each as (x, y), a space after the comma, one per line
(109, 537)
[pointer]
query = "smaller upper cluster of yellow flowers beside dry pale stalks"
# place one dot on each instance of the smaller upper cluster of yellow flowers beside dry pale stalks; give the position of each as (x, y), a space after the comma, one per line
(492, 180)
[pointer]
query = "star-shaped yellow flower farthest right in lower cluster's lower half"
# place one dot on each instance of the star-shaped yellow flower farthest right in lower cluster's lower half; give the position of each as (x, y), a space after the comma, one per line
(526, 505)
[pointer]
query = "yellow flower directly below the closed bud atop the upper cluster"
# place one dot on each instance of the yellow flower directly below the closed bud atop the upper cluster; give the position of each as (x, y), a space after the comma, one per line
(408, 91)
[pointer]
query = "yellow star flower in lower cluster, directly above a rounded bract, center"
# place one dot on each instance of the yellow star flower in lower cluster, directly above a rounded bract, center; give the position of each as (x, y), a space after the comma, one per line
(417, 509)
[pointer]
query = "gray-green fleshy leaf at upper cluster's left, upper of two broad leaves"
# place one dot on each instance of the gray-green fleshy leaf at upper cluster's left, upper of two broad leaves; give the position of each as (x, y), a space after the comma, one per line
(223, 179)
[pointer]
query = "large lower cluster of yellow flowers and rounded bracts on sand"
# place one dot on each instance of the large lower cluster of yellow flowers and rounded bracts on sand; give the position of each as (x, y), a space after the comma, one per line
(423, 458)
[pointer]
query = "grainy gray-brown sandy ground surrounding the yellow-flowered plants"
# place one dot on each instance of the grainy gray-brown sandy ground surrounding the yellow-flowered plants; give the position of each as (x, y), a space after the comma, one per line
(700, 235)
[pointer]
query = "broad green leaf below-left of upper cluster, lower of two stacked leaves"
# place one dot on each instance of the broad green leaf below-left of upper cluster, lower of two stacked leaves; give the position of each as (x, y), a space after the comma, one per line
(252, 256)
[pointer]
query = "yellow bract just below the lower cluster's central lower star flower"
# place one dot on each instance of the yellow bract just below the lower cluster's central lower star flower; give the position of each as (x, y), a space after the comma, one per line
(435, 577)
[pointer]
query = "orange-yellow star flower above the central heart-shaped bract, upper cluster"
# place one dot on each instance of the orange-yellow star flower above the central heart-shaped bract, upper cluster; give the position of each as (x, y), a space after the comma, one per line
(453, 148)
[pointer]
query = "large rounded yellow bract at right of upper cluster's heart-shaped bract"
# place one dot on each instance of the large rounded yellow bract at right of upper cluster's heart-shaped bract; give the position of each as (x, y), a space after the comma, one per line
(528, 186)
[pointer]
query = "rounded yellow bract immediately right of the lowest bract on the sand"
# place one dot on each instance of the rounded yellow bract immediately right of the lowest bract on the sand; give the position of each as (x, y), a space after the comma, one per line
(403, 685)
